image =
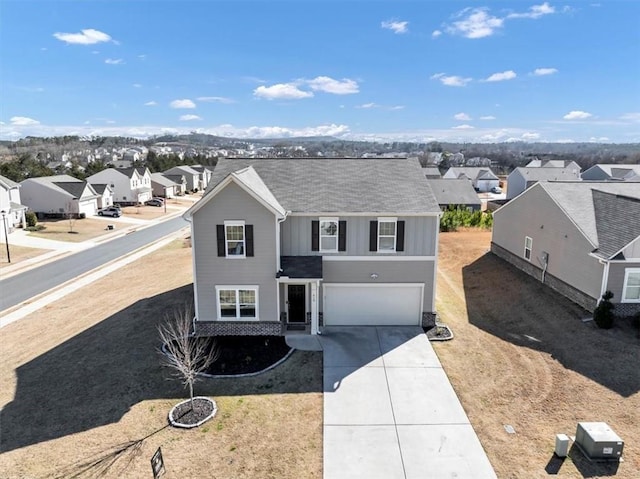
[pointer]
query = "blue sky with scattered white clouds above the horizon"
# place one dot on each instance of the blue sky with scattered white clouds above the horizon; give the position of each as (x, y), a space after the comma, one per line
(472, 71)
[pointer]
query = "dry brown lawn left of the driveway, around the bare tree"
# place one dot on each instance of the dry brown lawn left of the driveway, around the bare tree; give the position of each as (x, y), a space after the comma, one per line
(82, 376)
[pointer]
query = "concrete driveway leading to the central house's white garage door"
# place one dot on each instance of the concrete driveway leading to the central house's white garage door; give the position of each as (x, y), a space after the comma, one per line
(390, 411)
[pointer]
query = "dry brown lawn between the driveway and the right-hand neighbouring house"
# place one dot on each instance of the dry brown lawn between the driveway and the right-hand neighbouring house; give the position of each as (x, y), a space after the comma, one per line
(522, 357)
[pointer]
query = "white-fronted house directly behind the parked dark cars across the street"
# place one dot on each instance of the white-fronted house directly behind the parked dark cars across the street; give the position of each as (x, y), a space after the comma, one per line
(130, 186)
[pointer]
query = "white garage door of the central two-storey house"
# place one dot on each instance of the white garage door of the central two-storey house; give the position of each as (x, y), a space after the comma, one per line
(372, 305)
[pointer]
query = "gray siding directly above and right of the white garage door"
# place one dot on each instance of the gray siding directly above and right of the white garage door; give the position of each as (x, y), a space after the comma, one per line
(387, 271)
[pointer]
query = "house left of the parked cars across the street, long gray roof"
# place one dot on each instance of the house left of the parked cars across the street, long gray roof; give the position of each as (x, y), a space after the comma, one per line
(59, 195)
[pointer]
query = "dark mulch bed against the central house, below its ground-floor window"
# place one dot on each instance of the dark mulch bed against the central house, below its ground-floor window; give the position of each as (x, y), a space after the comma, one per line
(248, 354)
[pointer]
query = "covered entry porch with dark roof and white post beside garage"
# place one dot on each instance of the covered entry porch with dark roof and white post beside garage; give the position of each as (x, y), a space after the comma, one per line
(298, 293)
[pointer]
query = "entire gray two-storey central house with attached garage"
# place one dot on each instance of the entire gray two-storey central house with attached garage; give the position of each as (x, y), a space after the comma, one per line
(284, 244)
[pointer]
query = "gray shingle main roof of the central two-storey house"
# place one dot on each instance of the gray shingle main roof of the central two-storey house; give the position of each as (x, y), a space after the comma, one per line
(340, 185)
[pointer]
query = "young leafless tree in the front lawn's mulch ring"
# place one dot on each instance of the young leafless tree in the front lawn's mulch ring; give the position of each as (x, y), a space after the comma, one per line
(185, 353)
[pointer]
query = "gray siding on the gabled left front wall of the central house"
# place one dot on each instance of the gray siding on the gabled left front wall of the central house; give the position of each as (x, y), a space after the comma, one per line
(233, 203)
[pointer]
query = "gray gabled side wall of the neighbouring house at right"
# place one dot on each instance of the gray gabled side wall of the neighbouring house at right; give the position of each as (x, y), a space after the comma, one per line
(534, 214)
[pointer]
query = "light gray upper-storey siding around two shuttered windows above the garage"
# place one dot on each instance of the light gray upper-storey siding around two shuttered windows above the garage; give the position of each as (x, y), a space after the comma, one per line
(419, 236)
